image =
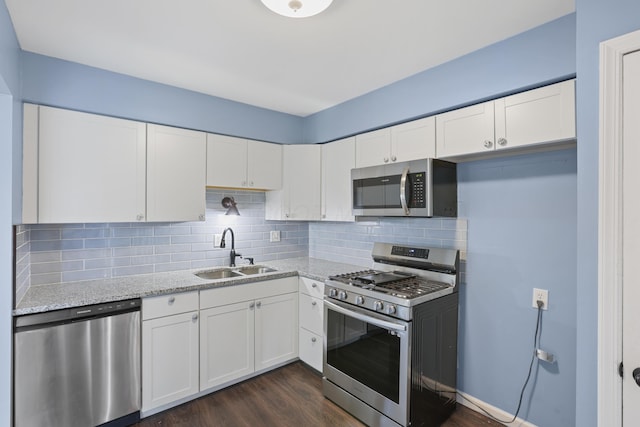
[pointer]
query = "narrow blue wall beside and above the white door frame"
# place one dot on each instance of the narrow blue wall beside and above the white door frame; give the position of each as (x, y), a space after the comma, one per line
(598, 20)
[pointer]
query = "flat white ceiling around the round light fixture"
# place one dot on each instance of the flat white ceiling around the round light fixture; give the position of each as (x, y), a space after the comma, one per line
(240, 50)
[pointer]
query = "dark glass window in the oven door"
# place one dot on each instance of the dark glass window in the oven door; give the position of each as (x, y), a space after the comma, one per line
(364, 352)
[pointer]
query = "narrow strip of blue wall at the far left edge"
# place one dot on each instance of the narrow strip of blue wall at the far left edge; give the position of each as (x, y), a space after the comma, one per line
(10, 139)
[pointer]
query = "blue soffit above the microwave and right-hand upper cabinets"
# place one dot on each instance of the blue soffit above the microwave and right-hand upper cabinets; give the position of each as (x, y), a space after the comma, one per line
(542, 55)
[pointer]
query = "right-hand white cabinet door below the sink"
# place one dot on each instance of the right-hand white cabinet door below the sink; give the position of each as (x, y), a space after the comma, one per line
(276, 337)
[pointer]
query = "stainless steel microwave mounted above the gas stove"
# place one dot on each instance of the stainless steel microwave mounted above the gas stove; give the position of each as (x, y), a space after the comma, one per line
(420, 188)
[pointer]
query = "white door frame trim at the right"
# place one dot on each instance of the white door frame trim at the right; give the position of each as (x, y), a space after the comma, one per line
(610, 227)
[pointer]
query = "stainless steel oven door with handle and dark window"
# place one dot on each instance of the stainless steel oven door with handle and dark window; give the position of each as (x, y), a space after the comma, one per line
(368, 355)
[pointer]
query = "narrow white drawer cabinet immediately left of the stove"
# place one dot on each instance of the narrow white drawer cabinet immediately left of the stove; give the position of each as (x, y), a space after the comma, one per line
(311, 313)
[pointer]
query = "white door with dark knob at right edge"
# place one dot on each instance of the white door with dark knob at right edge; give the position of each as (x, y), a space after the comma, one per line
(631, 238)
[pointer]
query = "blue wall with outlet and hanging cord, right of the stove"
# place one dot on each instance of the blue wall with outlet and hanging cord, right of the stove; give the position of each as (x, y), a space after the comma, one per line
(521, 215)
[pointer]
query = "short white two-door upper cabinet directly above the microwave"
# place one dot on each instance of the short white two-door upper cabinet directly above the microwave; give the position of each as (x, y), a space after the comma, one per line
(408, 141)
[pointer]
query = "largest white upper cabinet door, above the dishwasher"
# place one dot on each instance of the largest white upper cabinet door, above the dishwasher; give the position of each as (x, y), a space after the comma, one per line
(90, 168)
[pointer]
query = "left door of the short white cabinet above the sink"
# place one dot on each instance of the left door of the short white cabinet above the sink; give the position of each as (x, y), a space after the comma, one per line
(226, 161)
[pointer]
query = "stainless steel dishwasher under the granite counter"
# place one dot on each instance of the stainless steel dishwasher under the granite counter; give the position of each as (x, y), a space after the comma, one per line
(78, 367)
